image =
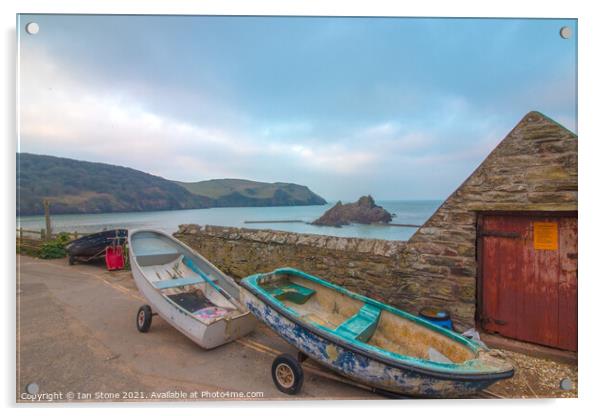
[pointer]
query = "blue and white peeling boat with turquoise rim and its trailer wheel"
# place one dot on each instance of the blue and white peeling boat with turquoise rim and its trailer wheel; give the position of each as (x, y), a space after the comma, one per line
(365, 340)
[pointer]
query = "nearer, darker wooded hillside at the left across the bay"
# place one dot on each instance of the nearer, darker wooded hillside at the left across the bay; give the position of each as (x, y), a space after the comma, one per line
(74, 186)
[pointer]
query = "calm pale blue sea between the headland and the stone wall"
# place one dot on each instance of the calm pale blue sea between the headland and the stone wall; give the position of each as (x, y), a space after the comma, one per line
(407, 212)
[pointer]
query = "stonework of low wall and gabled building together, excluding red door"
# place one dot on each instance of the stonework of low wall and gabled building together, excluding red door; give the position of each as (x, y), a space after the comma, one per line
(533, 169)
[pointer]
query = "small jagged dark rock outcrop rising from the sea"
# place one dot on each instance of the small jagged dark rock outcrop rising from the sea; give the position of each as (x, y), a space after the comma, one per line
(363, 211)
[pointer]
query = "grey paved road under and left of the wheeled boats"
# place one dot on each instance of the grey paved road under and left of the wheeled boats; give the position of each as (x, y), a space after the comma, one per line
(76, 333)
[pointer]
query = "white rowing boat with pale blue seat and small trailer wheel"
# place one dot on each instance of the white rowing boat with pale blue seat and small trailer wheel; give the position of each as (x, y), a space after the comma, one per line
(186, 290)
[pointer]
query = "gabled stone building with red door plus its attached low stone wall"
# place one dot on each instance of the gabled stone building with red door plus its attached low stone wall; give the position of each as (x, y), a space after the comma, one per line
(499, 254)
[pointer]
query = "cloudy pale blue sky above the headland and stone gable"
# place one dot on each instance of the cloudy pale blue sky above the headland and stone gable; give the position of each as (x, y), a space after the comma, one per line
(399, 108)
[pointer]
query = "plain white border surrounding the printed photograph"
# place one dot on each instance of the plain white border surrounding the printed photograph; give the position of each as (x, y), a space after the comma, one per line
(590, 290)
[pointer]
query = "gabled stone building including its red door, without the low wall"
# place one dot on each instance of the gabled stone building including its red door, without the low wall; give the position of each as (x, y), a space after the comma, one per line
(487, 227)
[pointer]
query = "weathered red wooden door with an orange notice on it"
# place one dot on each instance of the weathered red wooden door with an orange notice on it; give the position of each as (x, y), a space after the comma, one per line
(528, 277)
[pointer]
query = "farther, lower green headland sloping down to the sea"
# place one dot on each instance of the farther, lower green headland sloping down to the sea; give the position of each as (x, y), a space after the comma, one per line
(245, 193)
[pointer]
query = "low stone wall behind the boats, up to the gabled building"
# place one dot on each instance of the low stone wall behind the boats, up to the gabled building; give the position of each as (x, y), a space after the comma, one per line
(366, 266)
